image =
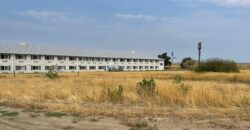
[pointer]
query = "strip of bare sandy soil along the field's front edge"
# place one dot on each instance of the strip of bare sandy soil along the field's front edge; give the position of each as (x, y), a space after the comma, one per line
(24, 119)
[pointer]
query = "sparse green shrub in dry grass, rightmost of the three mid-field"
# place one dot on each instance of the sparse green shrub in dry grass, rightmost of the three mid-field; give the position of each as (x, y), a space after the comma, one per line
(181, 87)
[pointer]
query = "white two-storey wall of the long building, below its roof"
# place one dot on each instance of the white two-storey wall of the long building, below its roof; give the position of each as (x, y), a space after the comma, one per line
(12, 62)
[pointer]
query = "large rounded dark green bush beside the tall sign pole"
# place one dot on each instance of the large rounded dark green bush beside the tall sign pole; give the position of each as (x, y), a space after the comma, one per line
(217, 65)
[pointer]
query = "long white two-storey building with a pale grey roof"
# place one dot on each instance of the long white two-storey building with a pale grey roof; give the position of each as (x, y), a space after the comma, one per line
(23, 58)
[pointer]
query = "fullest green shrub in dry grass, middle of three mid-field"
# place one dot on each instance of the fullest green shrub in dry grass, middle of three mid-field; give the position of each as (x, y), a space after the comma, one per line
(147, 87)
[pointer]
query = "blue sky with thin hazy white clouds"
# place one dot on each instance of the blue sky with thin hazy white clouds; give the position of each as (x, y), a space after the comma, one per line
(148, 27)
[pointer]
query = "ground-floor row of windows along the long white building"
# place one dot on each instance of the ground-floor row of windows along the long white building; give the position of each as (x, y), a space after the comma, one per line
(62, 68)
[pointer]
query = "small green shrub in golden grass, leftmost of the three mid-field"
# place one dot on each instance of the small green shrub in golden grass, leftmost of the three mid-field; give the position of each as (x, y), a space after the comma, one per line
(115, 94)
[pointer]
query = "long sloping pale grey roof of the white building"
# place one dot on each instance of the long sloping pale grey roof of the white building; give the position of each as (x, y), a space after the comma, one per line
(45, 50)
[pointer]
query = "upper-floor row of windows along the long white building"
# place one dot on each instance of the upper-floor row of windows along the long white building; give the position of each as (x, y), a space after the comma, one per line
(63, 58)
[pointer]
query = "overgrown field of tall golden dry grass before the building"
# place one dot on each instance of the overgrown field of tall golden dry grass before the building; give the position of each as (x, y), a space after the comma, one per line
(173, 93)
